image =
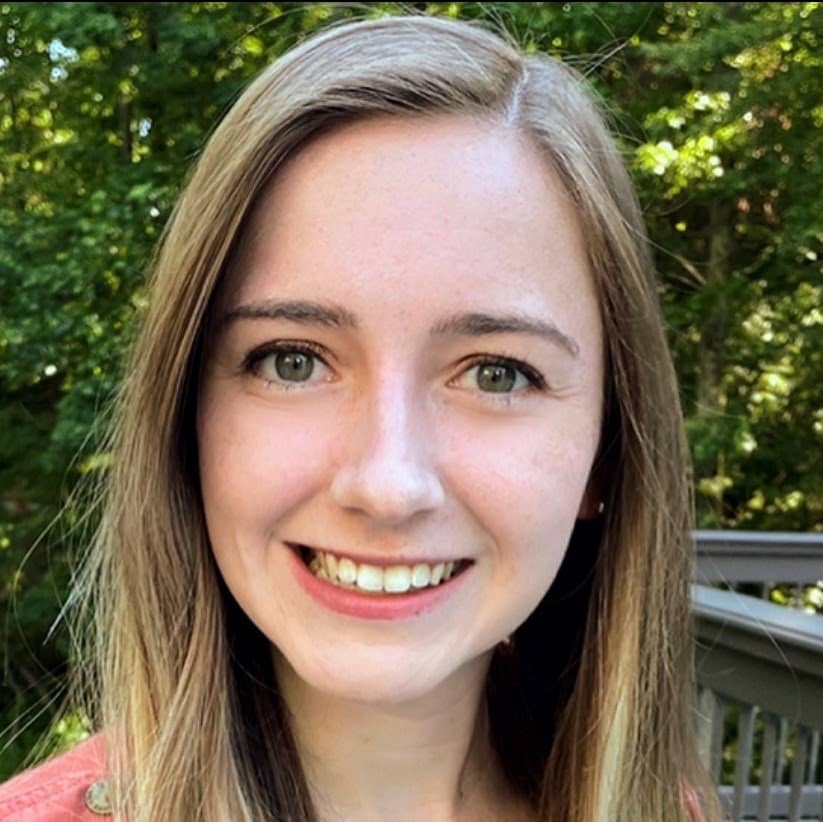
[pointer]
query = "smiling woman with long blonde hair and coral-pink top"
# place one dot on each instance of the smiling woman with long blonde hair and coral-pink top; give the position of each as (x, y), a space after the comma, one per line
(398, 524)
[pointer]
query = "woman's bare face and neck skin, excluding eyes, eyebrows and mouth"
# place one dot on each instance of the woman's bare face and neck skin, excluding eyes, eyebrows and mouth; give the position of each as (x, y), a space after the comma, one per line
(397, 445)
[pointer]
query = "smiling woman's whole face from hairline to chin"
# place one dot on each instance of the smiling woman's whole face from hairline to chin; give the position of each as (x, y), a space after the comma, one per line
(408, 373)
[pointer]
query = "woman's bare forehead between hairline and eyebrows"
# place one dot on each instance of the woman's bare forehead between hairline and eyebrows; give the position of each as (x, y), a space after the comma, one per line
(411, 210)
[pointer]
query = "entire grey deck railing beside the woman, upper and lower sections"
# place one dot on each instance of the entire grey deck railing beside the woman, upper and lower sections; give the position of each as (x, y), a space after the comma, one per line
(760, 675)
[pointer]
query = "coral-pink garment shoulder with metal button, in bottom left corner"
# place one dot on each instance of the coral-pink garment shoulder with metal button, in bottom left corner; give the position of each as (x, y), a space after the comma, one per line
(67, 787)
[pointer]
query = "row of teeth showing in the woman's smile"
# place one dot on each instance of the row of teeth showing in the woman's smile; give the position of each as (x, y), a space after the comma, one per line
(395, 579)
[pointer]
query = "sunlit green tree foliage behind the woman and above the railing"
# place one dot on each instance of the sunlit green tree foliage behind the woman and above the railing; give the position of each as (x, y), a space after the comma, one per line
(103, 107)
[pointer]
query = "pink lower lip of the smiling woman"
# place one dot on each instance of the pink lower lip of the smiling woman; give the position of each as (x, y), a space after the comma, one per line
(372, 606)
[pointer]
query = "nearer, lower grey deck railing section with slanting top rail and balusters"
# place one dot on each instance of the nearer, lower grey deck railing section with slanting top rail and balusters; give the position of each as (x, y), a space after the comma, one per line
(760, 679)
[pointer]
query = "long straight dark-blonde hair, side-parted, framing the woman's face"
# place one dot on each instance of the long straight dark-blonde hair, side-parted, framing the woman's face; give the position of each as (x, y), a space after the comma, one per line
(592, 729)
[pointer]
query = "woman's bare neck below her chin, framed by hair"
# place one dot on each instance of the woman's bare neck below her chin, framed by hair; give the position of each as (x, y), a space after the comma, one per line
(430, 758)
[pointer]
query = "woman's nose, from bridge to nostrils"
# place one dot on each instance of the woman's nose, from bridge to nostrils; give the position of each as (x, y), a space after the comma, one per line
(388, 471)
